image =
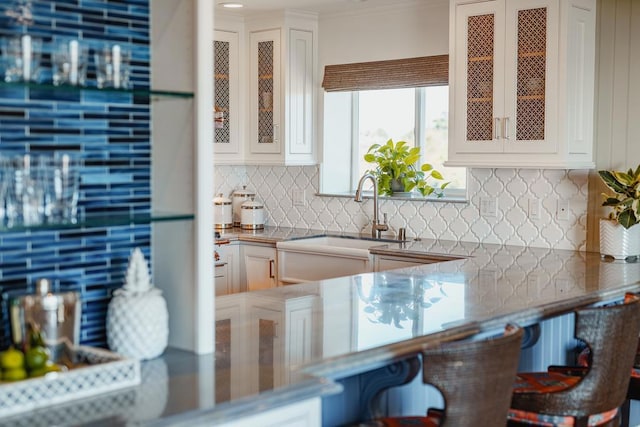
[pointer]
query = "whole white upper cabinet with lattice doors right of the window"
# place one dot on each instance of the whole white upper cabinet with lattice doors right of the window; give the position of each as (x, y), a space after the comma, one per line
(522, 83)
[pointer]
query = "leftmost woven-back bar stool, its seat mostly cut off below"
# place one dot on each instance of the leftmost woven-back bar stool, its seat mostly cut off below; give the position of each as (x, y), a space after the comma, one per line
(475, 378)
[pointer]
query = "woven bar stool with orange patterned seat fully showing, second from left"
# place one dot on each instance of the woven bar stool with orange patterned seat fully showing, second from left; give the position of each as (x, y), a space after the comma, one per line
(563, 396)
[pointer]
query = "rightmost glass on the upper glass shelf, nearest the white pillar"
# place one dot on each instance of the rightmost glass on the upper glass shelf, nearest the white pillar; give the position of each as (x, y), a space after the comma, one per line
(113, 67)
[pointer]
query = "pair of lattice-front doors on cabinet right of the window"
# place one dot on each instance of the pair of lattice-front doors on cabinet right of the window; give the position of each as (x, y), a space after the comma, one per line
(505, 68)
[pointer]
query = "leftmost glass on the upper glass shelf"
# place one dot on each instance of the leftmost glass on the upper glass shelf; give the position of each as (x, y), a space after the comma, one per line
(20, 57)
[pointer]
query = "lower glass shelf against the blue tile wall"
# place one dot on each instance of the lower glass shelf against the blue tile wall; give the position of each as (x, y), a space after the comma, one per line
(102, 220)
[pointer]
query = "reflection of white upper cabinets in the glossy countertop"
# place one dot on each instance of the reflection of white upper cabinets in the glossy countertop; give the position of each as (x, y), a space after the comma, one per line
(257, 337)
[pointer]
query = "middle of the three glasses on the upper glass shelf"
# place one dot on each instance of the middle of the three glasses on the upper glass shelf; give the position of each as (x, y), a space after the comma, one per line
(69, 62)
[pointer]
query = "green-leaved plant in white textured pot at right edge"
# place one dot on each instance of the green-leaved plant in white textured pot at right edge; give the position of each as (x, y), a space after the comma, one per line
(620, 233)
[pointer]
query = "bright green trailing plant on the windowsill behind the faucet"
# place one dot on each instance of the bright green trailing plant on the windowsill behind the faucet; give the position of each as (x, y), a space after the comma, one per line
(397, 170)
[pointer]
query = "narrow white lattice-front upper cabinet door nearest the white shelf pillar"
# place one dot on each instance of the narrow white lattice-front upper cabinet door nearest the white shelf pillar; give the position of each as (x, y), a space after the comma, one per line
(227, 107)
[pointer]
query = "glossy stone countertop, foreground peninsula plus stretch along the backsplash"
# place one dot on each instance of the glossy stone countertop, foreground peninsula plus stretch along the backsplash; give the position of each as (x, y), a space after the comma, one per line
(359, 323)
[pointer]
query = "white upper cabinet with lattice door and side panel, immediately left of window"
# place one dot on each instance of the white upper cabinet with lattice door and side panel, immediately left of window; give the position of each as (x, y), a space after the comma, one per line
(283, 52)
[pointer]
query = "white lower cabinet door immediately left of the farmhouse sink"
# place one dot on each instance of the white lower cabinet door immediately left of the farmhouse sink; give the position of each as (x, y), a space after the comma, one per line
(258, 266)
